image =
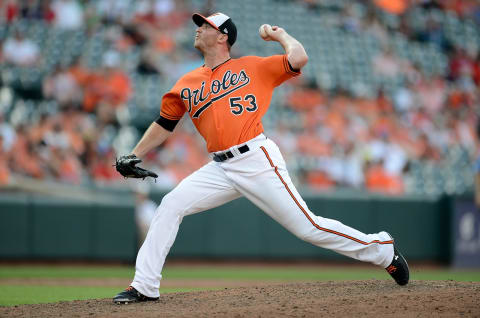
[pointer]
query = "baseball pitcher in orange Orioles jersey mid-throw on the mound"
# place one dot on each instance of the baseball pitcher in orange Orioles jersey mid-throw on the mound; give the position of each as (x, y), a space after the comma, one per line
(226, 99)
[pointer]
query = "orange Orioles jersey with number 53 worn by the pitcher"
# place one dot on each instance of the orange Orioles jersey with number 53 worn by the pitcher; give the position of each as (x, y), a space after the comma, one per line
(226, 104)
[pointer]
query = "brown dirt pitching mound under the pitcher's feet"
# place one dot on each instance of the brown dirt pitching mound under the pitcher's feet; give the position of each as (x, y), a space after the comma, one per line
(372, 298)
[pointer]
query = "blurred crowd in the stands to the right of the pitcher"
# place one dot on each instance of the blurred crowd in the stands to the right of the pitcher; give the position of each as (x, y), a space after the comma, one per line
(370, 142)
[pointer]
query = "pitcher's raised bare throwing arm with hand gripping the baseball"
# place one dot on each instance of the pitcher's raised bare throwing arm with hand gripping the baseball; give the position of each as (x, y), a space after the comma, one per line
(297, 57)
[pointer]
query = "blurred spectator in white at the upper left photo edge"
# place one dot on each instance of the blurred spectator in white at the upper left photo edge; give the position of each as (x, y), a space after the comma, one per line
(21, 51)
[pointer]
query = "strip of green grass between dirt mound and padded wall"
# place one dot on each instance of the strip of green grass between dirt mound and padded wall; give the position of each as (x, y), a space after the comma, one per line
(15, 294)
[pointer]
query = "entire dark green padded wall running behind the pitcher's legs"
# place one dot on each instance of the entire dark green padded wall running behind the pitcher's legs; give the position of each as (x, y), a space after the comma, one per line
(39, 227)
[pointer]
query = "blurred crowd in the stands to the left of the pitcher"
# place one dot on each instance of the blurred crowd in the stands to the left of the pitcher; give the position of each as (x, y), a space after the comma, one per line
(76, 144)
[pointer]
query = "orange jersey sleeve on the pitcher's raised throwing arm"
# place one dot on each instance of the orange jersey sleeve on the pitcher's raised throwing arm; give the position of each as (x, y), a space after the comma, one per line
(276, 69)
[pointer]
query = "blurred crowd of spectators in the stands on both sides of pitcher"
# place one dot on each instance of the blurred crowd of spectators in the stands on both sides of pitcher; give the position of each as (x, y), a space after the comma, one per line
(338, 139)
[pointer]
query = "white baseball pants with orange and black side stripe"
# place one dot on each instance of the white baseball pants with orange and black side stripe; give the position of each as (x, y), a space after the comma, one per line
(261, 176)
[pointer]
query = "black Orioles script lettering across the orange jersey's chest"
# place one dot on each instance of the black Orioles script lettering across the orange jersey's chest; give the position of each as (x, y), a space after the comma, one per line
(230, 83)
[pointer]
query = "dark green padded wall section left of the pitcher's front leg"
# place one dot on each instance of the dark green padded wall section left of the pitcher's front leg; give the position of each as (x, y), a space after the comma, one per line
(48, 228)
